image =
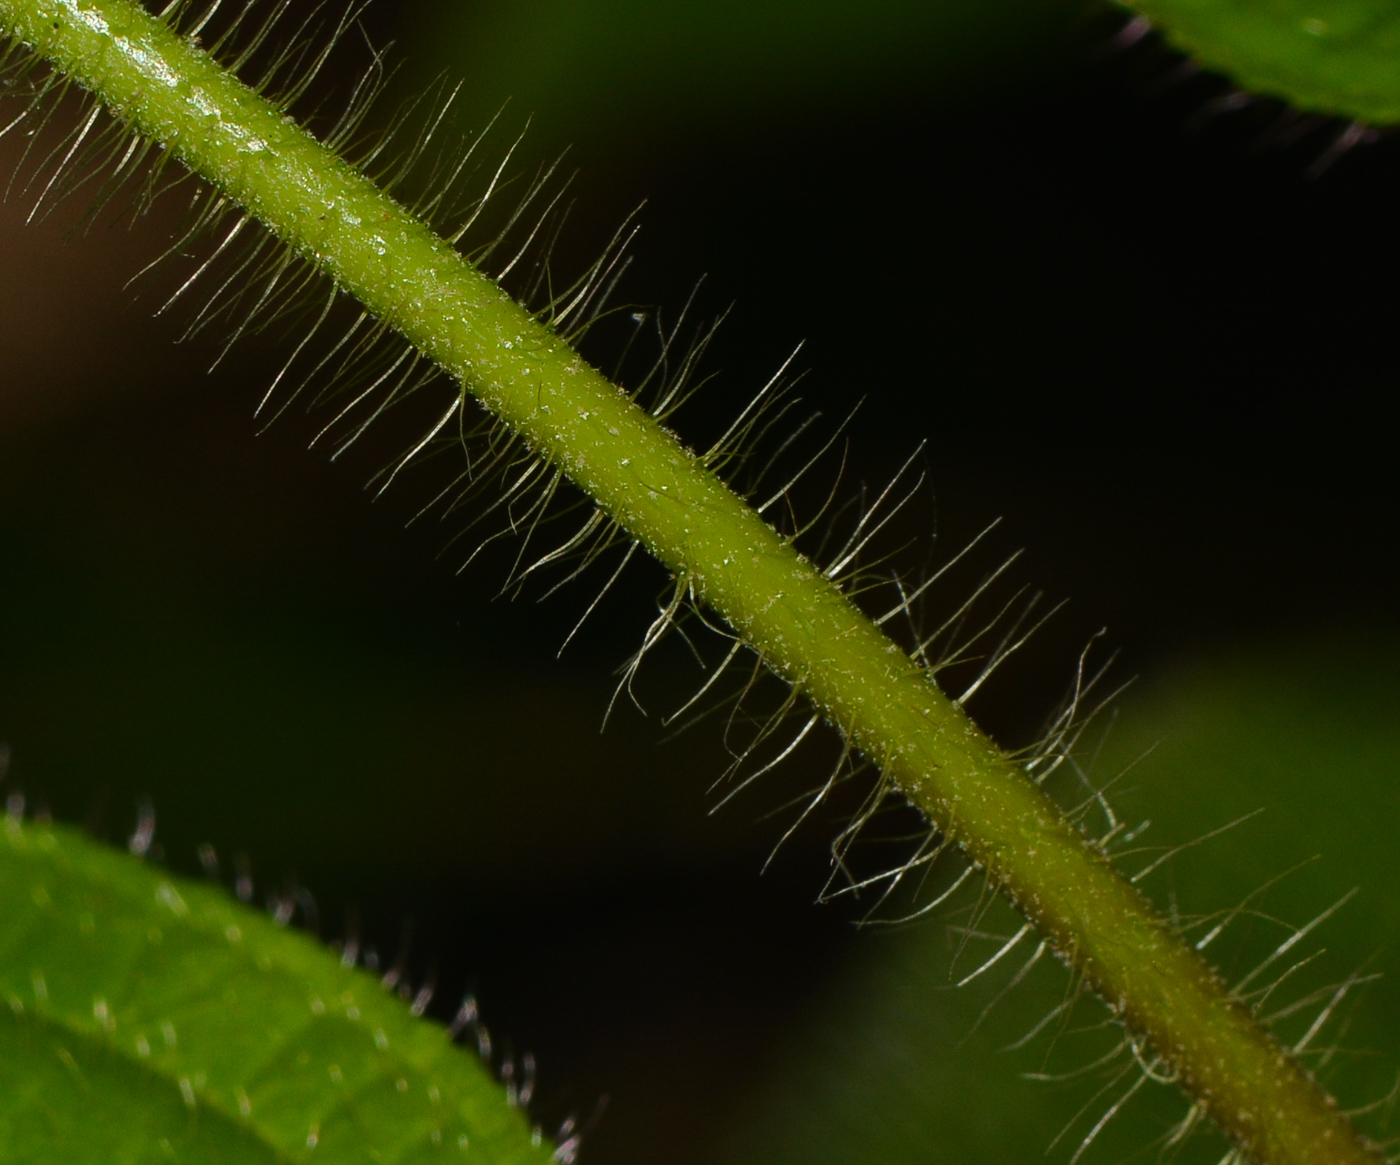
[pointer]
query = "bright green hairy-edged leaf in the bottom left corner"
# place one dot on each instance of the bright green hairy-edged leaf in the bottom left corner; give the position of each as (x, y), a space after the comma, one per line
(149, 1019)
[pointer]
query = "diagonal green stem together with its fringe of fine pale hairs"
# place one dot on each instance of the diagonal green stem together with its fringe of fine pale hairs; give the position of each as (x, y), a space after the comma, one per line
(556, 421)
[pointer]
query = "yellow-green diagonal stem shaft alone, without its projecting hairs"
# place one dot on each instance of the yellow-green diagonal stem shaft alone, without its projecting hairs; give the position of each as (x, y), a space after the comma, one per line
(731, 559)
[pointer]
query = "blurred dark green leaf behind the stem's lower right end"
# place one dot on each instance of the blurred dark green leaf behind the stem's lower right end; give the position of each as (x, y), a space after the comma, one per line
(888, 1068)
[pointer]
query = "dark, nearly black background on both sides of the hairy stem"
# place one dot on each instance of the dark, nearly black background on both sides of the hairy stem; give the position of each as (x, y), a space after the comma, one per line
(1140, 333)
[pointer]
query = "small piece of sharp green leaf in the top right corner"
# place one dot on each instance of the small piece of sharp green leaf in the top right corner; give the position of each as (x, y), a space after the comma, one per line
(1324, 57)
